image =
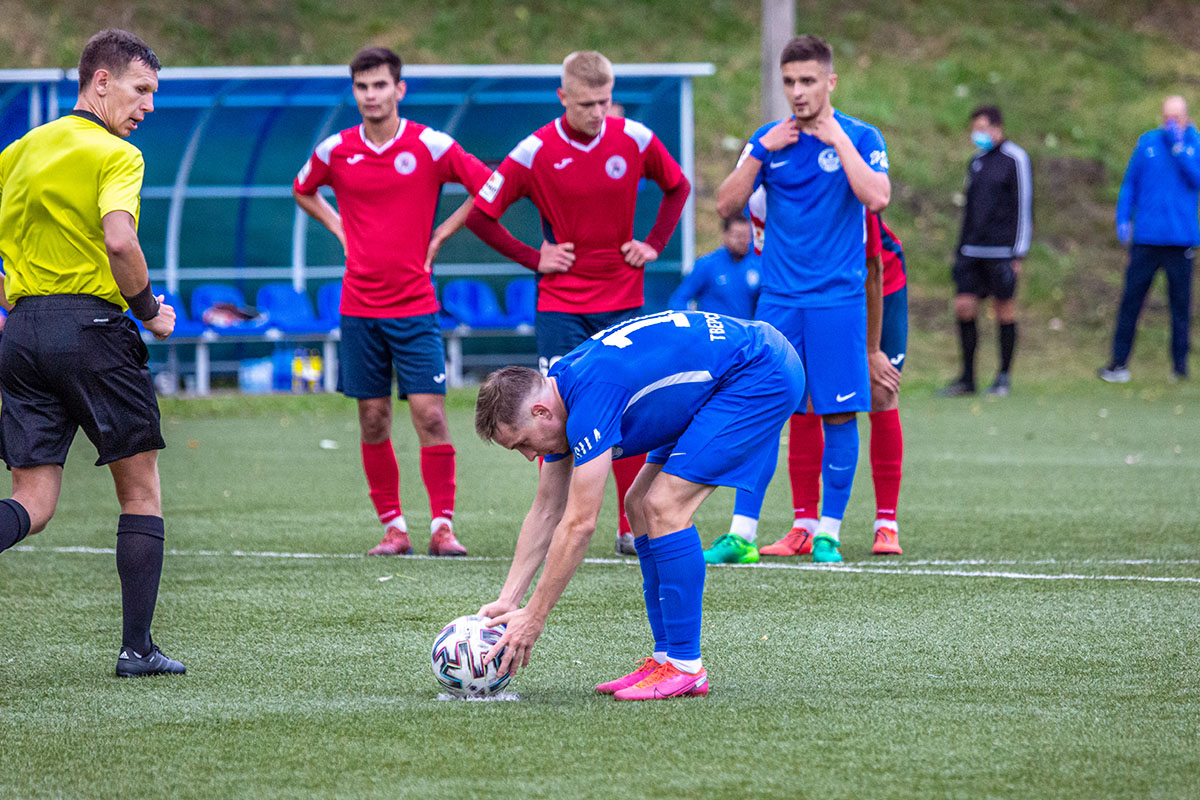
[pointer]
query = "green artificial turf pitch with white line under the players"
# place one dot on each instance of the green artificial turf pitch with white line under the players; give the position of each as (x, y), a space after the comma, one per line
(967, 669)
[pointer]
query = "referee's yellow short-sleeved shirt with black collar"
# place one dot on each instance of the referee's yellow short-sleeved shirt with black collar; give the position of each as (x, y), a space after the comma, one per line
(57, 184)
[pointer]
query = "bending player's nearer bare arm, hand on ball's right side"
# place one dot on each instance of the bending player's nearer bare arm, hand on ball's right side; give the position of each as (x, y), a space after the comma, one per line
(567, 551)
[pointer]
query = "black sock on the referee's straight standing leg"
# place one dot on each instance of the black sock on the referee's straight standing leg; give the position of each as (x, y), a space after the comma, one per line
(140, 563)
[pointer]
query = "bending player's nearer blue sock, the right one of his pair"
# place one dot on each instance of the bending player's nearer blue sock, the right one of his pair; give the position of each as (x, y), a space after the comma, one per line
(681, 562)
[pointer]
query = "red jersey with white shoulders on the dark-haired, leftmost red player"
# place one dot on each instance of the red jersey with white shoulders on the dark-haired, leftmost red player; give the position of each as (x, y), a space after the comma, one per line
(388, 197)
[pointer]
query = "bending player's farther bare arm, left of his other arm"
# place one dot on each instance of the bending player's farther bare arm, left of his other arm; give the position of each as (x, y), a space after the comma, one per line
(539, 526)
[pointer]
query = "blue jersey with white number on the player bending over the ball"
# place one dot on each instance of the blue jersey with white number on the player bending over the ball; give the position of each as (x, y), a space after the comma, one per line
(638, 386)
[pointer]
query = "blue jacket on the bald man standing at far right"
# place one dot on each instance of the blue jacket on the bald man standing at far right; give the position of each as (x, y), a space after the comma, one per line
(1161, 191)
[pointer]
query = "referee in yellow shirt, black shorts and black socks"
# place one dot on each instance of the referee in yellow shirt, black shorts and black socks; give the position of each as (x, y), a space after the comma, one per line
(70, 358)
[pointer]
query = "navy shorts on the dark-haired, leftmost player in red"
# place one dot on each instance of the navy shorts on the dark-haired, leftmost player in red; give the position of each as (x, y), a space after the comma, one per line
(373, 348)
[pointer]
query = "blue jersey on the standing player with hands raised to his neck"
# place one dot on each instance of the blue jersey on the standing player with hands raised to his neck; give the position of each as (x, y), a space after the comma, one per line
(817, 252)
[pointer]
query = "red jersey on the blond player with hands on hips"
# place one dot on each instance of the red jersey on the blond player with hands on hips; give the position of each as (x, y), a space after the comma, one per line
(587, 195)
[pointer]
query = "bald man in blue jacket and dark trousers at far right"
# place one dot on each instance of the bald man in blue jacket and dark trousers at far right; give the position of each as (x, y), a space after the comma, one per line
(1157, 215)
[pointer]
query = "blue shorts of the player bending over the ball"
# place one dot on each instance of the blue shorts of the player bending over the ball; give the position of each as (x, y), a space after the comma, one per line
(734, 435)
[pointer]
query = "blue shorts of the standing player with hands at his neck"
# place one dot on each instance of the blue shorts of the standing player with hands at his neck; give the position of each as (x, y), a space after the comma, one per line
(832, 344)
